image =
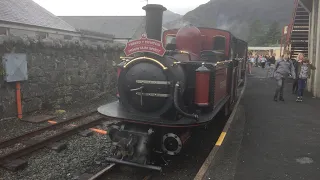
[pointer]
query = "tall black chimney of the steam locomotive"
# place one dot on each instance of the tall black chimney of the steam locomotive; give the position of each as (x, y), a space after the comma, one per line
(154, 13)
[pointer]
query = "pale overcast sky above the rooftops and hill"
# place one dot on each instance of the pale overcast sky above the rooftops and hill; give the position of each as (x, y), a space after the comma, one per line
(113, 7)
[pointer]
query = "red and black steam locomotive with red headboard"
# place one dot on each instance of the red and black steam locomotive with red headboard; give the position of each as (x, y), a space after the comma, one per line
(164, 92)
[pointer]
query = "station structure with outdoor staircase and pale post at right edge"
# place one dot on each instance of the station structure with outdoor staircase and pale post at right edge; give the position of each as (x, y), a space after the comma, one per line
(302, 35)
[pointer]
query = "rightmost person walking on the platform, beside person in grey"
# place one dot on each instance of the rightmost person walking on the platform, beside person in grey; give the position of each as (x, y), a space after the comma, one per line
(304, 71)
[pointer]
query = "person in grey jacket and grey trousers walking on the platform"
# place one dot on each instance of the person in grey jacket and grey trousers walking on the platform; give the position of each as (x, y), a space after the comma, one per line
(283, 68)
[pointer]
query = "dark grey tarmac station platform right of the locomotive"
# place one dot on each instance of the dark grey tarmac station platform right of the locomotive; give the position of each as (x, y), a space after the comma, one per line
(275, 141)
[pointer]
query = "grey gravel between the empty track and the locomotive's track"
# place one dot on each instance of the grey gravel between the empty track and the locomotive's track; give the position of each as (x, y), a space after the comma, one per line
(83, 155)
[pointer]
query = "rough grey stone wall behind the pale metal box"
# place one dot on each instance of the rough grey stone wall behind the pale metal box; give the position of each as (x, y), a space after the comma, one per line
(61, 73)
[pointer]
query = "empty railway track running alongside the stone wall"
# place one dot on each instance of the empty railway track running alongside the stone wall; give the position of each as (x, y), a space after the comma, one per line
(42, 137)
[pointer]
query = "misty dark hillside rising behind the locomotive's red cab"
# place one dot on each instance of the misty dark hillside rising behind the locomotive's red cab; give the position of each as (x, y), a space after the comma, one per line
(237, 15)
